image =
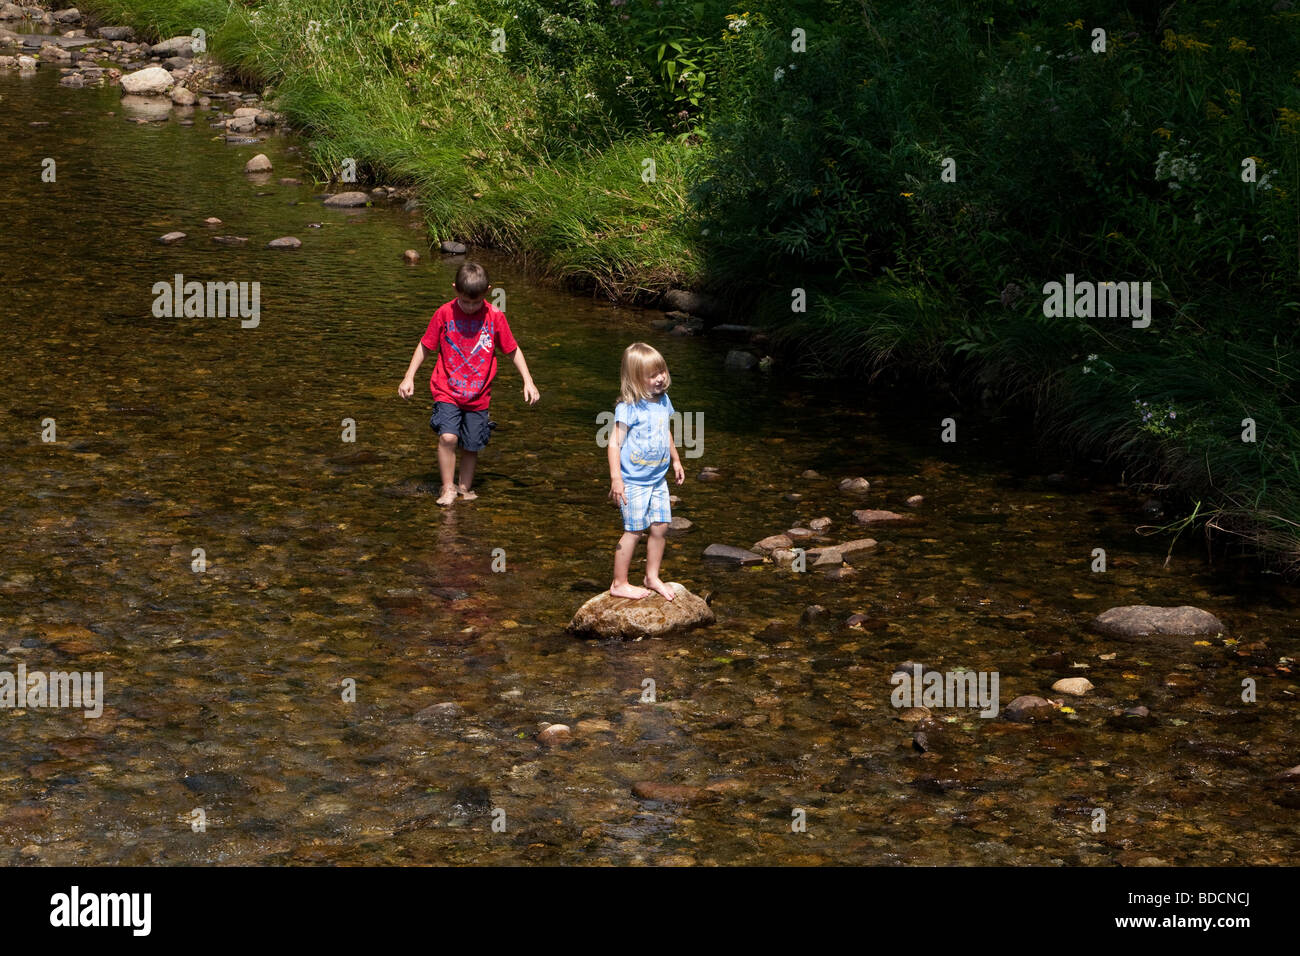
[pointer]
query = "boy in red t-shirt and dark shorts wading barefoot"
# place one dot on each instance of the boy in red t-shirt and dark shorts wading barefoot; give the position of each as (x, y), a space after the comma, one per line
(465, 334)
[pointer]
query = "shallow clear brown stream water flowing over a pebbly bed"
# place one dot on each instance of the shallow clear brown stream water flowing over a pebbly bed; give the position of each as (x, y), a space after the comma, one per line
(328, 563)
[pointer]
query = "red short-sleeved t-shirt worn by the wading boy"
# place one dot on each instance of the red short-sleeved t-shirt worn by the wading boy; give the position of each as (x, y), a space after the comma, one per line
(467, 353)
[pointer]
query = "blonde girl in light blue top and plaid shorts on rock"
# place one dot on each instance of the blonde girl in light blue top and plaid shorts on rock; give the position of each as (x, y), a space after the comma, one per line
(640, 451)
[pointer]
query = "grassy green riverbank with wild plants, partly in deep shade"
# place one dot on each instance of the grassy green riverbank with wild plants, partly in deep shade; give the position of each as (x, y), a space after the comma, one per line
(916, 236)
